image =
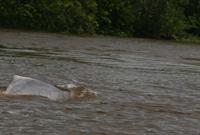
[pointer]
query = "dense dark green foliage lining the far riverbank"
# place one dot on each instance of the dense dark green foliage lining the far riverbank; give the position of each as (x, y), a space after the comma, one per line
(141, 18)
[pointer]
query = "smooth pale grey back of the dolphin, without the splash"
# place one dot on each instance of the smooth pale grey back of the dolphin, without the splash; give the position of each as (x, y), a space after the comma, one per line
(28, 86)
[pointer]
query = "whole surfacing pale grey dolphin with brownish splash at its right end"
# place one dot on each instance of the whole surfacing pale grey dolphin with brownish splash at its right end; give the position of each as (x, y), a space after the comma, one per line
(28, 86)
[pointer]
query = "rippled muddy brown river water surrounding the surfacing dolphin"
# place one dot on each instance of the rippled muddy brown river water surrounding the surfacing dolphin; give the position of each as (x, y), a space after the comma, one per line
(144, 86)
